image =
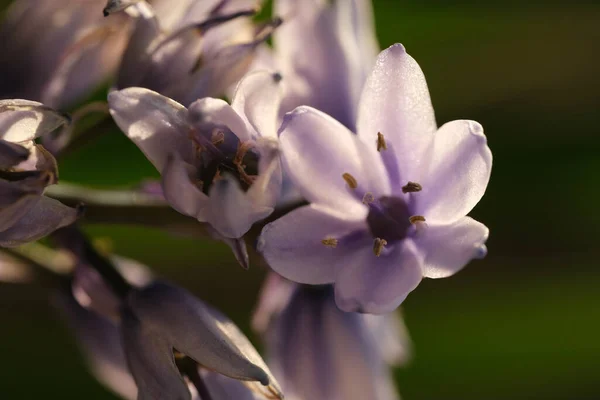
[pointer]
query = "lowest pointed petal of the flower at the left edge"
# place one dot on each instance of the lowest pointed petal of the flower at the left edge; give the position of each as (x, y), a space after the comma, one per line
(45, 217)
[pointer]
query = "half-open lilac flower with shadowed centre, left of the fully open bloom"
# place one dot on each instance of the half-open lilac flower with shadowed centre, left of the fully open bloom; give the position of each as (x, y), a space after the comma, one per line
(218, 161)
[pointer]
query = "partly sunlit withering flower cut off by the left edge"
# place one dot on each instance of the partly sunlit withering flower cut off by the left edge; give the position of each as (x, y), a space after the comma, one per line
(25, 170)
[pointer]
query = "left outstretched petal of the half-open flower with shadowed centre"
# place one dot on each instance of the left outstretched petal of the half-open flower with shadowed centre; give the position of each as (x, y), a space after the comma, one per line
(155, 123)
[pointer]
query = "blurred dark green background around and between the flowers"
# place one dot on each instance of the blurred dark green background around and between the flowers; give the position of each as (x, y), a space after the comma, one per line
(522, 324)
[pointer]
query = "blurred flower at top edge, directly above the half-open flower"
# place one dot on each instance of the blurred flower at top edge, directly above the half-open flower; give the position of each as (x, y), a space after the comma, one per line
(190, 49)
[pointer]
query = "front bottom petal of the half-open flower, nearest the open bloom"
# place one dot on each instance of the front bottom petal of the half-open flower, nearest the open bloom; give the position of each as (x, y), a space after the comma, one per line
(232, 212)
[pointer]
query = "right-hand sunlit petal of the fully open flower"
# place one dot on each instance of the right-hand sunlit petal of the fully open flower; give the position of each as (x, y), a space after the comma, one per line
(458, 174)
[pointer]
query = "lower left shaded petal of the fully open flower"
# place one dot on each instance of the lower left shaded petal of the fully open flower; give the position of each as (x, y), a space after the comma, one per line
(292, 245)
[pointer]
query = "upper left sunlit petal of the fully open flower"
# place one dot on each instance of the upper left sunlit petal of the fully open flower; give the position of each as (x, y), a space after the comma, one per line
(317, 152)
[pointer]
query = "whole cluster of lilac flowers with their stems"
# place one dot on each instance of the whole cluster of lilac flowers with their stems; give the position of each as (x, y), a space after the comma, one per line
(327, 161)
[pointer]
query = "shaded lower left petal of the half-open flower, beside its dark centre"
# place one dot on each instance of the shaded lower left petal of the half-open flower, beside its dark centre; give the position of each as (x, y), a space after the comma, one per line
(180, 191)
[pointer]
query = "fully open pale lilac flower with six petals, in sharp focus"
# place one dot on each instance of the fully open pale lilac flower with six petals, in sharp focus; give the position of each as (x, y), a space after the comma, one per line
(388, 205)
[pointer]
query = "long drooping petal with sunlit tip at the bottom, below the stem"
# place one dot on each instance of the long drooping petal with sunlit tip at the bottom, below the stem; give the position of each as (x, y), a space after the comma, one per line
(197, 330)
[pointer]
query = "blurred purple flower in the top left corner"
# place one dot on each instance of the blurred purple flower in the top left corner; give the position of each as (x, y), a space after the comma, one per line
(57, 51)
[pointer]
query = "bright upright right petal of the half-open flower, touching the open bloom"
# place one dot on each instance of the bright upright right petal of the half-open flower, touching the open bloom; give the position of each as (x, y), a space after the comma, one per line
(257, 100)
